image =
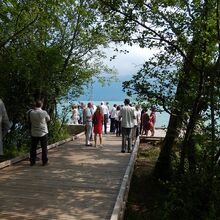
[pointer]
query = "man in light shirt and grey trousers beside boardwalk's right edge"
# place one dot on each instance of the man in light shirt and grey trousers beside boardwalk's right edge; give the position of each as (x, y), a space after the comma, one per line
(127, 114)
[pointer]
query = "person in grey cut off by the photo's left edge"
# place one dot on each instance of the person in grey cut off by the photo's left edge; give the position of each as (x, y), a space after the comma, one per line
(4, 126)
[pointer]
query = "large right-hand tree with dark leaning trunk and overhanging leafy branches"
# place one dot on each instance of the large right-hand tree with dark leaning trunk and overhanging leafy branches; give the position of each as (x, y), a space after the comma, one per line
(185, 32)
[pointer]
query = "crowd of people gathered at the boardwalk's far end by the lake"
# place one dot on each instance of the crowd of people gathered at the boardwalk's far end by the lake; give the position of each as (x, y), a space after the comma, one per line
(126, 120)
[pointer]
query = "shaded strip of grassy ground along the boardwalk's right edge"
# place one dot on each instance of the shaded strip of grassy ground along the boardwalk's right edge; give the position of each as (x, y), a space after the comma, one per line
(146, 194)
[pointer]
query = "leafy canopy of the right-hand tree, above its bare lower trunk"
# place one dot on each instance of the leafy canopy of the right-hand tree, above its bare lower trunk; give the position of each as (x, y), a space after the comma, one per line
(177, 29)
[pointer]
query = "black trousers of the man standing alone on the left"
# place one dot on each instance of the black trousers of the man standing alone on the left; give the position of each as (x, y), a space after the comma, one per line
(33, 150)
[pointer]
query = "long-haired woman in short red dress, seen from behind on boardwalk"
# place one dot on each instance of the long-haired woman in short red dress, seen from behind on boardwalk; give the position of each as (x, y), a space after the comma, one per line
(98, 119)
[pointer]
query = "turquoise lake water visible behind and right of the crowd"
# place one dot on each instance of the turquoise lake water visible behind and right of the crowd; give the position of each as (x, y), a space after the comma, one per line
(162, 118)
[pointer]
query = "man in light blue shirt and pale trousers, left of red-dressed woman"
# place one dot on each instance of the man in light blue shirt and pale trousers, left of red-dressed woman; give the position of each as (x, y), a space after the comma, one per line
(88, 113)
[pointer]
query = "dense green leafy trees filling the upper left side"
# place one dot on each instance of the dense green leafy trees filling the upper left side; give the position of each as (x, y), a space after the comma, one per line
(47, 49)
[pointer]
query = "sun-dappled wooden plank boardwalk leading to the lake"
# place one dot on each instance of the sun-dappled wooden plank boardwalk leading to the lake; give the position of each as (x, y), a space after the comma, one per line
(80, 183)
